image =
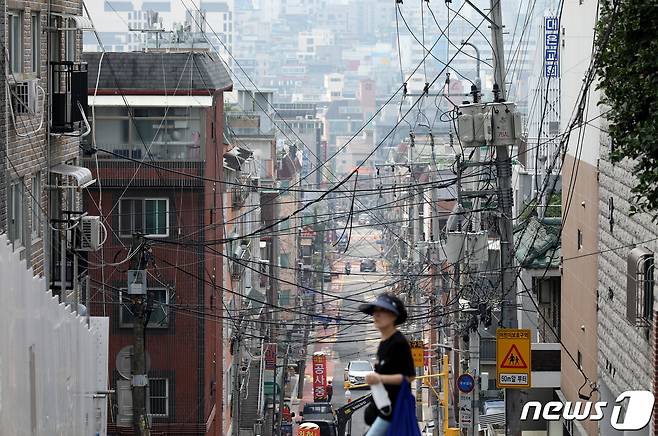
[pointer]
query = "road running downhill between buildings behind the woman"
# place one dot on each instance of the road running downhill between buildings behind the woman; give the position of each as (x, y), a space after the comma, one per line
(356, 342)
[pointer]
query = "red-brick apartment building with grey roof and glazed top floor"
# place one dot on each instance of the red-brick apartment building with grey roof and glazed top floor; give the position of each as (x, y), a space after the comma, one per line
(158, 133)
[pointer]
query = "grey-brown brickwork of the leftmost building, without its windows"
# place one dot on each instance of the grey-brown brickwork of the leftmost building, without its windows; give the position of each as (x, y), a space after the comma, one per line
(30, 150)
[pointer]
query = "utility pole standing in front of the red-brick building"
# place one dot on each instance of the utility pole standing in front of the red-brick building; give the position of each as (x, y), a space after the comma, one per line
(137, 290)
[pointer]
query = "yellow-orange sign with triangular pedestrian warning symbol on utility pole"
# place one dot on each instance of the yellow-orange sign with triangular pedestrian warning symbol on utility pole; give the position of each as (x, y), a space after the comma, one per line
(513, 364)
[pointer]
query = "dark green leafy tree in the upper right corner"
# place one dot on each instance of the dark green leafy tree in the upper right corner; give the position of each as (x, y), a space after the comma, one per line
(628, 72)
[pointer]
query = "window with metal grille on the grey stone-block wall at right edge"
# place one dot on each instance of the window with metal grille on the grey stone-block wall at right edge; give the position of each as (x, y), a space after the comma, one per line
(639, 287)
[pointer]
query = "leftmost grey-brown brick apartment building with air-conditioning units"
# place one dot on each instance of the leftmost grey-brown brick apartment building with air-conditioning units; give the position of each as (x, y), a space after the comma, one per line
(42, 121)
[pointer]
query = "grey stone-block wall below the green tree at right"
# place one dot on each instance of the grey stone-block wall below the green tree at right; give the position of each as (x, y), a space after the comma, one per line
(625, 359)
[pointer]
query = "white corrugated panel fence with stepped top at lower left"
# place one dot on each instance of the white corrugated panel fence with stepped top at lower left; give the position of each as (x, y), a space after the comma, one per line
(51, 364)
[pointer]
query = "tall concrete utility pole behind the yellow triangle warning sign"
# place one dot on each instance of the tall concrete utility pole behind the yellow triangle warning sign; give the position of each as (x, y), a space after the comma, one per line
(505, 199)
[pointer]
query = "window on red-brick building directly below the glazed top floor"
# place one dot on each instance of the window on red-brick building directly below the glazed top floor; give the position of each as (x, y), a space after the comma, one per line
(149, 216)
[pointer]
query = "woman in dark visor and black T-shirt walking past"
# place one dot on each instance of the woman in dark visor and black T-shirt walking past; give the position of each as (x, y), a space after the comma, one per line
(394, 360)
